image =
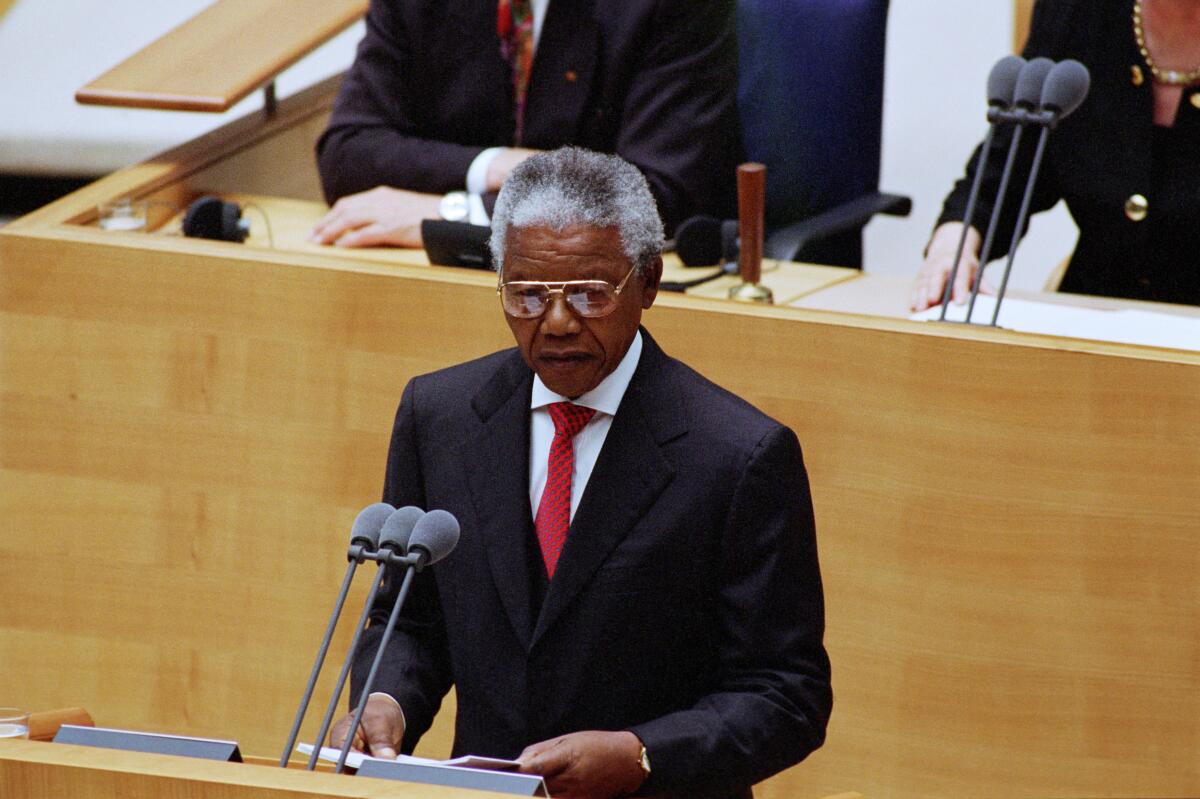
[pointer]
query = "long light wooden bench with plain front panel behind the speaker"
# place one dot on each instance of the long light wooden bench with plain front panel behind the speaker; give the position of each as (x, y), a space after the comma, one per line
(1007, 524)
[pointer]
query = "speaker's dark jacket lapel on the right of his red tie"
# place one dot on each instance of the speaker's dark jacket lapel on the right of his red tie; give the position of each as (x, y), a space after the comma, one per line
(628, 478)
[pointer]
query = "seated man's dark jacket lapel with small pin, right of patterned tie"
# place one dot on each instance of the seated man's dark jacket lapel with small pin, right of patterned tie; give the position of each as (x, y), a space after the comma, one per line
(563, 73)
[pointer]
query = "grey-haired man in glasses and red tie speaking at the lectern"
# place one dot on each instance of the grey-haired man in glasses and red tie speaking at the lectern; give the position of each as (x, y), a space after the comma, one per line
(635, 603)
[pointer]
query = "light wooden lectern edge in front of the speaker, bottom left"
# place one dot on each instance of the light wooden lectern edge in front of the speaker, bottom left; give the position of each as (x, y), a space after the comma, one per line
(40, 771)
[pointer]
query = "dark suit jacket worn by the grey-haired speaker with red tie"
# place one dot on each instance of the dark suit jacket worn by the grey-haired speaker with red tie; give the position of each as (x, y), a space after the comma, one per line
(687, 605)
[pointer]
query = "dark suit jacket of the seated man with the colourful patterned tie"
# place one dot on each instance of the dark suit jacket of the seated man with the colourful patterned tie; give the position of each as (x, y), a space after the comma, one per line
(653, 81)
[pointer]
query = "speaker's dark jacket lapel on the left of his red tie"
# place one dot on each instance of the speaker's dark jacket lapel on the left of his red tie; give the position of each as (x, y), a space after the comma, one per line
(499, 476)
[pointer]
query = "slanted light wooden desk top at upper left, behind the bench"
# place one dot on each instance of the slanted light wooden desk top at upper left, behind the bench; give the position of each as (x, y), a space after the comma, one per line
(223, 55)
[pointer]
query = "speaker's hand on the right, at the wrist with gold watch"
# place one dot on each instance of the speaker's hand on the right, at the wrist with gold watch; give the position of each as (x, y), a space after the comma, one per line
(587, 765)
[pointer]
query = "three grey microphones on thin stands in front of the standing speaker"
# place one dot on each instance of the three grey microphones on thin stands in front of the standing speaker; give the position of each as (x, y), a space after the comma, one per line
(406, 537)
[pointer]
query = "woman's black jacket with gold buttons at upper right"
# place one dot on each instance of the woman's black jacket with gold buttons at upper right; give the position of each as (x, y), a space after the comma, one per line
(1101, 157)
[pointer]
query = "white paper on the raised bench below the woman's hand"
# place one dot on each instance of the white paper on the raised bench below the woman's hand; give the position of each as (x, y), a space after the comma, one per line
(1125, 326)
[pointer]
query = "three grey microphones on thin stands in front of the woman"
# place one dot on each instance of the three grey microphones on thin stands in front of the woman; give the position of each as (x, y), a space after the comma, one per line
(1035, 94)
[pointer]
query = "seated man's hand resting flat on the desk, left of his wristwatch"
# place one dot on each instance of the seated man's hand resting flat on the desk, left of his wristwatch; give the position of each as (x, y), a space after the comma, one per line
(382, 217)
